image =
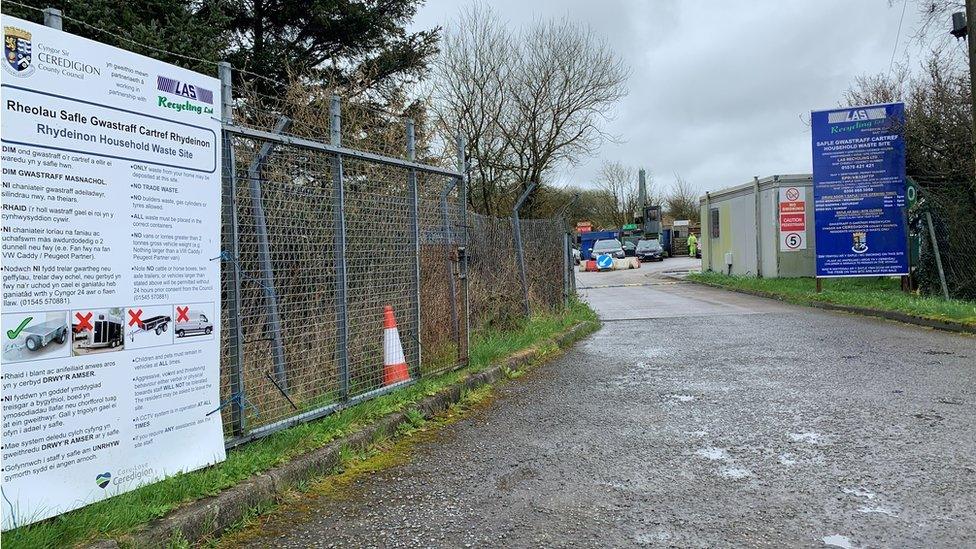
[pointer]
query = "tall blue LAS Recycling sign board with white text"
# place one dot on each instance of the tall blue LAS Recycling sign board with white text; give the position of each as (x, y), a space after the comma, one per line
(859, 191)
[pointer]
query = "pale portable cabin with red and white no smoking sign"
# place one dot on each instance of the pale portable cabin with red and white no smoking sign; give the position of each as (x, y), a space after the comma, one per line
(763, 228)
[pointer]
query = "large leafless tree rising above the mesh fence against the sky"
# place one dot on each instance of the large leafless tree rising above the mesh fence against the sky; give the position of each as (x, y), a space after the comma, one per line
(528, 100)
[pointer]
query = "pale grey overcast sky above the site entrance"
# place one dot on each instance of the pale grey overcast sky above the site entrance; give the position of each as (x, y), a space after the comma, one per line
(718, 89)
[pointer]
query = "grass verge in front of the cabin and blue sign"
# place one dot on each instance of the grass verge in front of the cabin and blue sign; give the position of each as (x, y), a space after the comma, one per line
(880, 294)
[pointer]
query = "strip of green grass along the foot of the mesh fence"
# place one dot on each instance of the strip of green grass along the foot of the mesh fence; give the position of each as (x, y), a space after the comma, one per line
(115, 516)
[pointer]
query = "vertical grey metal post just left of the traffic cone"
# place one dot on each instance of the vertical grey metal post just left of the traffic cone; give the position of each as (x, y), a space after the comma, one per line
(342, 316)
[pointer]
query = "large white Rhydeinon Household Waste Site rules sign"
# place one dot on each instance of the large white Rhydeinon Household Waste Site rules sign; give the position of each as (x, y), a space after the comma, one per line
(111, 296)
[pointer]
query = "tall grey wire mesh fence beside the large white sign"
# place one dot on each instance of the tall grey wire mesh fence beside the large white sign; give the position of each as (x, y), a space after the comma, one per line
(320, 238)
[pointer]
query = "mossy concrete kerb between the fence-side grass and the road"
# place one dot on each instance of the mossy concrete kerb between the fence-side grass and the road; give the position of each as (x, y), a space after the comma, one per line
(210, 517)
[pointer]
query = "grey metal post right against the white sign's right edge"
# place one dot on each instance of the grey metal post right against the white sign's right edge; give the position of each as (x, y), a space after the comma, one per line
(230, 221)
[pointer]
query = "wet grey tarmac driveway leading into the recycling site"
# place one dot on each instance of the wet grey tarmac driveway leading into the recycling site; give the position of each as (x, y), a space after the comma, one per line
(693, 418)
